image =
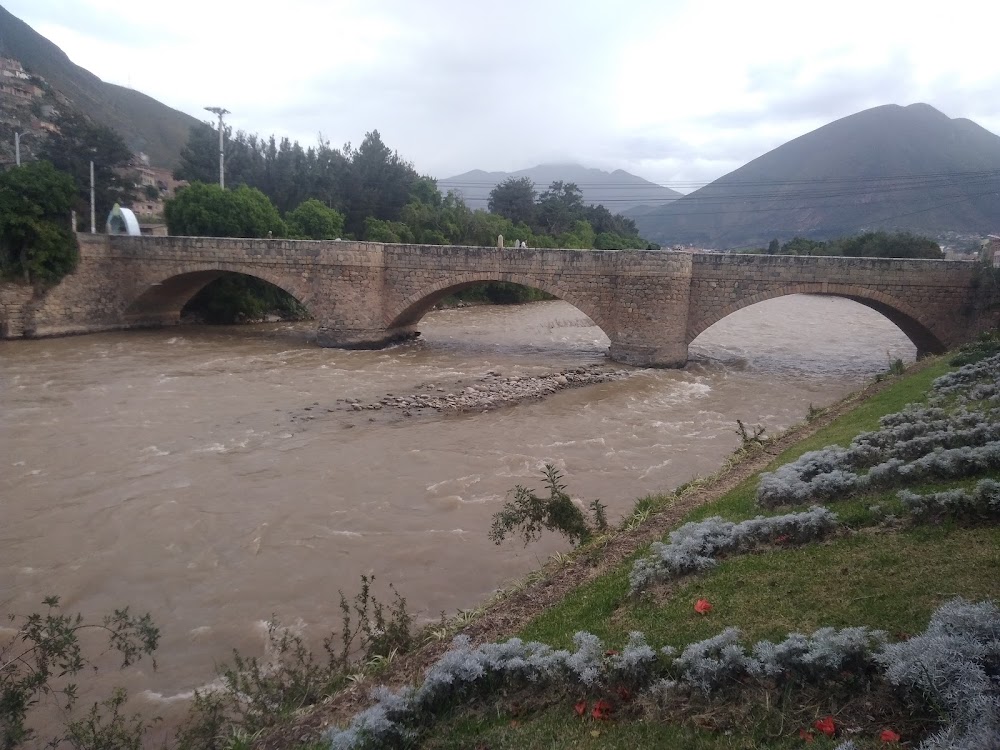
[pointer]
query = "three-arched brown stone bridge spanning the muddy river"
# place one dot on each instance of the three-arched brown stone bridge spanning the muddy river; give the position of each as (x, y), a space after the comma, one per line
(650, 304)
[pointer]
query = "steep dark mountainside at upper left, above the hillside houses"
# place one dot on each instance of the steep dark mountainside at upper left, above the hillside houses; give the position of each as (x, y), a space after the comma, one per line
(144, 123)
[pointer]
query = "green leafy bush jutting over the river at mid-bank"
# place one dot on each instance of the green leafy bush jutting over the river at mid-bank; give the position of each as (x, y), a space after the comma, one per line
(530, 514)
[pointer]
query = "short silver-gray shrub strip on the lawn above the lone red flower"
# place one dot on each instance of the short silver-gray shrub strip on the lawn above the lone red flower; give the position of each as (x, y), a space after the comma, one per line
(695, 545)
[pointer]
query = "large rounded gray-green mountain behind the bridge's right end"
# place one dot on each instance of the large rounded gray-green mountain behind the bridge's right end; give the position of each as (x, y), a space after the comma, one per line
(890, 167)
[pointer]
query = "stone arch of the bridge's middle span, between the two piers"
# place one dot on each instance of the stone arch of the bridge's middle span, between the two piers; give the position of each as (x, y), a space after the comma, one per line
(411, 309)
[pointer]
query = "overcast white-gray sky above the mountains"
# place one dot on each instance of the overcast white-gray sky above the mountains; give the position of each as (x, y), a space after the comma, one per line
(677, 92)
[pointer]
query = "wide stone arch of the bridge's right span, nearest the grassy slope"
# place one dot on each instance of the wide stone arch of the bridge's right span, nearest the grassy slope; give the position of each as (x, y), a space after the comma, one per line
(908, 320)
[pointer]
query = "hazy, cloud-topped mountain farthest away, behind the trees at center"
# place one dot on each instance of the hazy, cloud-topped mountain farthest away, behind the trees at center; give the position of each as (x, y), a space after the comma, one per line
(617, 190)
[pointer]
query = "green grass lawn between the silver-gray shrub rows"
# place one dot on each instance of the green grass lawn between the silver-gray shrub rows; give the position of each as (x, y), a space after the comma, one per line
(883, 577)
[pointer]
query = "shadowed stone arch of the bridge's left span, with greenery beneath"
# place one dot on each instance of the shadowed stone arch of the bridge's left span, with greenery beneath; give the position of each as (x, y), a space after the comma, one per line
(159, 301)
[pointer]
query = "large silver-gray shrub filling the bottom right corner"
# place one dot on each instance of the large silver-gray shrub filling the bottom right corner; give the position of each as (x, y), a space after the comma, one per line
(955, 666)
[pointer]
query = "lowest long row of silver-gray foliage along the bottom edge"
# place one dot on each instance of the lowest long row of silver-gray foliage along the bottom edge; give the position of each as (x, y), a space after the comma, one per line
(824, 658)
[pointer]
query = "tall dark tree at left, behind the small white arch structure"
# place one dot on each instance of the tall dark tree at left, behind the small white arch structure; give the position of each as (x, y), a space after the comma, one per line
(80, 141)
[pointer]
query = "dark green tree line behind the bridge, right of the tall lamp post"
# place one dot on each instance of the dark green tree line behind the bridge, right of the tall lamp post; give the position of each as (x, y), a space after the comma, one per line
(379, 196)
